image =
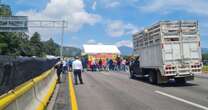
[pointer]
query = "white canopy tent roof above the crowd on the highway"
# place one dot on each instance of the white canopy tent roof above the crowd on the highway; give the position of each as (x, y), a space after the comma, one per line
(96, 49)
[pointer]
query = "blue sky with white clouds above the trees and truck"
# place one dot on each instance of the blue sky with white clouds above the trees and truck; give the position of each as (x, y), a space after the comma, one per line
(109, 21)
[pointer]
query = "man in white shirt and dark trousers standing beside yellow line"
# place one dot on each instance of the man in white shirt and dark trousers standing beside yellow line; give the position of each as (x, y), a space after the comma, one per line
(77, 70)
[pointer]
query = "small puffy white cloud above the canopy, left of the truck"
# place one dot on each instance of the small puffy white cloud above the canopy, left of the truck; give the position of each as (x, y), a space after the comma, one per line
(118, 28)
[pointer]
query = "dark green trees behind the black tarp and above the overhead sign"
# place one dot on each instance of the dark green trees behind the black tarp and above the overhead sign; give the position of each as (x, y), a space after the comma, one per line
(20, 44)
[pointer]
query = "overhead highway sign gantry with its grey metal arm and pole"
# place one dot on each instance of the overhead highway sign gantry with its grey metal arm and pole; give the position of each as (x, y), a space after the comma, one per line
(22, 24)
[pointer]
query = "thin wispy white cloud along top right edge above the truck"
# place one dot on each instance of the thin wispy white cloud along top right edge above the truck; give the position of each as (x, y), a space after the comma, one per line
(190, 6)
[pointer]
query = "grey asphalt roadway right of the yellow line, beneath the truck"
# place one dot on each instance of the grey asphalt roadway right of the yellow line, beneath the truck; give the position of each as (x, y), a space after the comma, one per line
(115, 91)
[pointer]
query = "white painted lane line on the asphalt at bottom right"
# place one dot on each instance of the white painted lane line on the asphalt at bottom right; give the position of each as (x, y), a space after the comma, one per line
(182, 100)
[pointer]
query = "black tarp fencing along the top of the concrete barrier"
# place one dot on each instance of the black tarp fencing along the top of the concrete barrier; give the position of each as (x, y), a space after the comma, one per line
(17, 70)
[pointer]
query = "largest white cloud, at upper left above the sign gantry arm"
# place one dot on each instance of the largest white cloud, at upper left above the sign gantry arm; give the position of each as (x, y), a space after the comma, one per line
(71, 10)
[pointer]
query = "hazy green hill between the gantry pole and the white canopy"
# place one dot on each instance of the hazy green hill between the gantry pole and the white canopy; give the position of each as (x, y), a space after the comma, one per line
(71, 51)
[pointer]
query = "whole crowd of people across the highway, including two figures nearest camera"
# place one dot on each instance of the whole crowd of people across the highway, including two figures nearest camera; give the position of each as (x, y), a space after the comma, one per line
(77, 65)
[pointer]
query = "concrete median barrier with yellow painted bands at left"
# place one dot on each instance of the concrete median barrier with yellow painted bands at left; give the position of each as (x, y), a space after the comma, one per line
(31, 95)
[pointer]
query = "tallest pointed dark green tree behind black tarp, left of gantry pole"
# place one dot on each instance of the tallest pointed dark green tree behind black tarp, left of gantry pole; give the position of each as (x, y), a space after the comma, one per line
(37, 48)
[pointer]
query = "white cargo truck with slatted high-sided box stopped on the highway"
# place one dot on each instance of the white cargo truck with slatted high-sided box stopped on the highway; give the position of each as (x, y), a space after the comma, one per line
(168, 50)
